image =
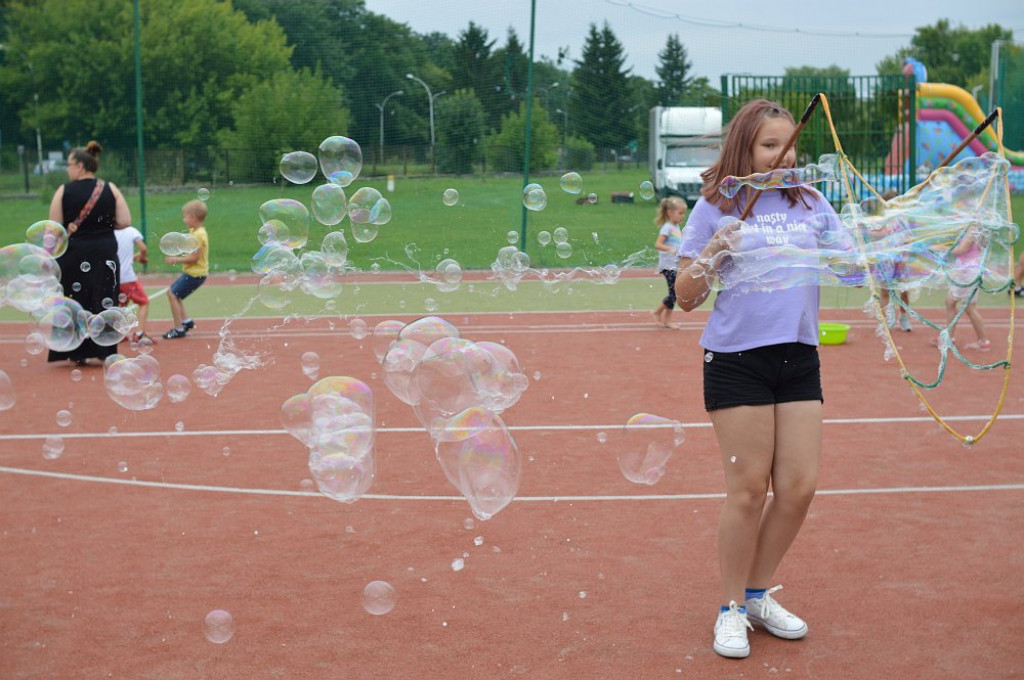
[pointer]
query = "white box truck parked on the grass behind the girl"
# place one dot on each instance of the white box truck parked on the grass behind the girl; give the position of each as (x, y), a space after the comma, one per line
(685, 143)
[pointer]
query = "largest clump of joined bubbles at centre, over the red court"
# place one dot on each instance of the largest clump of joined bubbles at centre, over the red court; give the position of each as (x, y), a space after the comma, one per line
(458, 390)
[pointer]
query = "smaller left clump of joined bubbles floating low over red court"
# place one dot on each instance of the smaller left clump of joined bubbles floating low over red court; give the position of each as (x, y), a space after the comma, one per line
(335, 421)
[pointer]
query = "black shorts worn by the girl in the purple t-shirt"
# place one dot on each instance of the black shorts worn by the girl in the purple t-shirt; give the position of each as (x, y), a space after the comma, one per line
(791, 372)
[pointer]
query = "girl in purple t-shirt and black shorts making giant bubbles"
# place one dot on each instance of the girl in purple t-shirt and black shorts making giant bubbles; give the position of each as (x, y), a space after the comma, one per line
(761, 372)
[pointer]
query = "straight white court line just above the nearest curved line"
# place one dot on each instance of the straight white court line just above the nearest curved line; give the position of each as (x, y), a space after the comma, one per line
(515, 429)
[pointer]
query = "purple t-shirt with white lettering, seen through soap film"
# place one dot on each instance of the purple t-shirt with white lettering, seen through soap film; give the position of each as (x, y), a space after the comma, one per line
(744, 317)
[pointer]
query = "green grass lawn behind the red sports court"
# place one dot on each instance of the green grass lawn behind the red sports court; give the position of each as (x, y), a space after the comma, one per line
(472, 232)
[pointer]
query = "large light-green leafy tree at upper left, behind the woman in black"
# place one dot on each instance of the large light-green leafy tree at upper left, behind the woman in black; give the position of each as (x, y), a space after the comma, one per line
(198, 57)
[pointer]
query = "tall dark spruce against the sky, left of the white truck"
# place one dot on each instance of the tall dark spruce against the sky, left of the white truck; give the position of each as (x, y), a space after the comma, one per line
(601, 102)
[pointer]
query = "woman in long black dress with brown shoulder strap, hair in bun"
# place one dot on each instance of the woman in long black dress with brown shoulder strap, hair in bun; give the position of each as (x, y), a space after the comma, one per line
(91, 209)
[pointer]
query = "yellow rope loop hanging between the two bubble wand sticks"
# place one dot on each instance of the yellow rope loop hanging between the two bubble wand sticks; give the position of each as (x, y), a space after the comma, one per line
(847, 167)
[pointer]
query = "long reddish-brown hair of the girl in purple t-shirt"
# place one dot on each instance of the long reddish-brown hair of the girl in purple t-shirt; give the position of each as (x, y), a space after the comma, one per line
(738, 155)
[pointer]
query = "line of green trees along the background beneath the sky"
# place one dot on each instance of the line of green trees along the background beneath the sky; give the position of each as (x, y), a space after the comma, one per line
(276, 75)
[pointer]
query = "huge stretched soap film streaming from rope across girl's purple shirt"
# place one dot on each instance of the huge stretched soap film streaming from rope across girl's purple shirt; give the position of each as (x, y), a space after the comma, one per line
(904, 245)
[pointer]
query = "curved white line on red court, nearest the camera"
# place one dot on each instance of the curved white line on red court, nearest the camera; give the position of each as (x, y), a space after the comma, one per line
(519, 499)
